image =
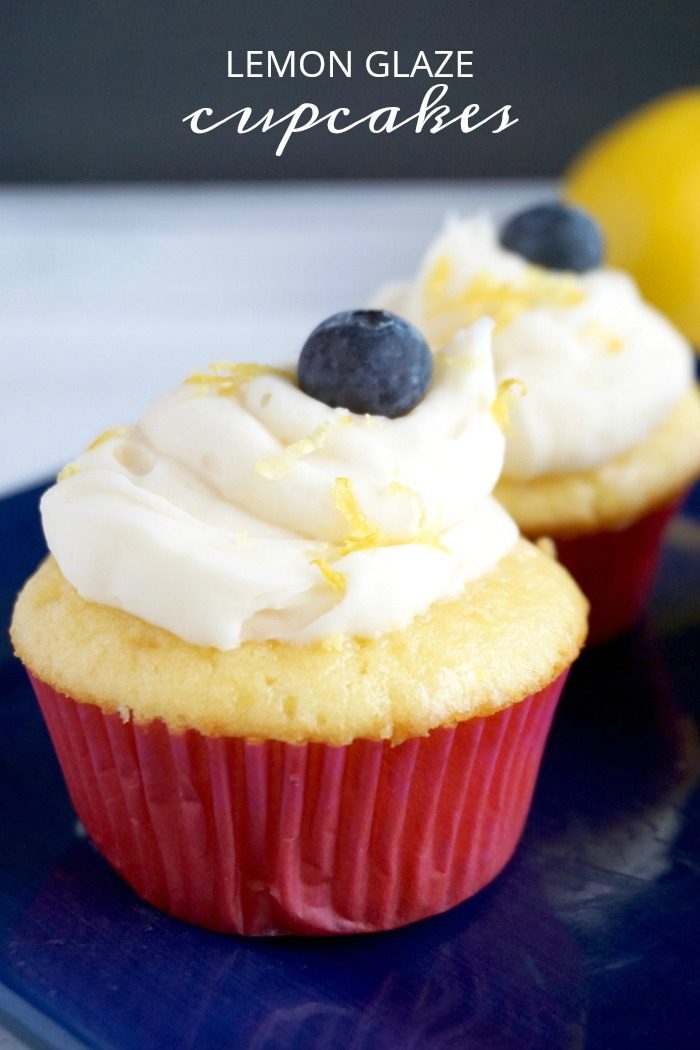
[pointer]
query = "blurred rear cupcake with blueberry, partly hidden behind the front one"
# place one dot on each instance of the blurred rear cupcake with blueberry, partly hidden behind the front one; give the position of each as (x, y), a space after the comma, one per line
(604, 436)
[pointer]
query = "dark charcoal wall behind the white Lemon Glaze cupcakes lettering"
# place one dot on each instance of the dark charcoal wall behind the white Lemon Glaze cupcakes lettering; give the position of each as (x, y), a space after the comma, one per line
(97, 91)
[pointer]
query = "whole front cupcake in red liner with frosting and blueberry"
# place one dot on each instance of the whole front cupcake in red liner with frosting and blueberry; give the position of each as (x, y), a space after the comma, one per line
(298, 664)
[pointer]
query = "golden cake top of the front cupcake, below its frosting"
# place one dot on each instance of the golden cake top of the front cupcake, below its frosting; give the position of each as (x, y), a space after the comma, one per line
(510, 634)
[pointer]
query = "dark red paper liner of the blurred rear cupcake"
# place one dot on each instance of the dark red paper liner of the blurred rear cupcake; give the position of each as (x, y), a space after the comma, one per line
(617, 570)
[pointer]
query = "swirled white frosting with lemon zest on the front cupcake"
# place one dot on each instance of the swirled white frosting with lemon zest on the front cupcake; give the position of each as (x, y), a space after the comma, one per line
(193, 521)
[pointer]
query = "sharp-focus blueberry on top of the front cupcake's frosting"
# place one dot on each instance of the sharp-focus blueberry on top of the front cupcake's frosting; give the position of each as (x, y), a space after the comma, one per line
(368, 362)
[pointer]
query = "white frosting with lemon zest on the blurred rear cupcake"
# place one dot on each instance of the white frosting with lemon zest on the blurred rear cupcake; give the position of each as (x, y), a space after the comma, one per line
(601, 374)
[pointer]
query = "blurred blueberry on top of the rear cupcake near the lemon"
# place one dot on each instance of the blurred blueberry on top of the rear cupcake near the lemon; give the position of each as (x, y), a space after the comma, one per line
(556, 237)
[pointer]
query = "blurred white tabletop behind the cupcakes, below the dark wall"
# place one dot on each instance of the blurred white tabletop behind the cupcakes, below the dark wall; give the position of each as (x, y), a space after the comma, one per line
(111, 296)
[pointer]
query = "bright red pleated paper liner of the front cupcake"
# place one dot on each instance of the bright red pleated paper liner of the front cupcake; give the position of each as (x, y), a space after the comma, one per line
(275, 838)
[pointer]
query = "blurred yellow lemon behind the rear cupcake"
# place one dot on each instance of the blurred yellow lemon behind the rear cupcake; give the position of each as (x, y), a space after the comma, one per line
(641, 179)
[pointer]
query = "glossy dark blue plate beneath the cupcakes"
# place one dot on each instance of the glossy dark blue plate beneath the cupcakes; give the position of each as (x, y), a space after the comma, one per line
(589, 939)
